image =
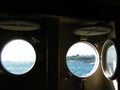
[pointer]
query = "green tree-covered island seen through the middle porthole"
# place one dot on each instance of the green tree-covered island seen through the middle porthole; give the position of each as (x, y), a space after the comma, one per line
(82, 58)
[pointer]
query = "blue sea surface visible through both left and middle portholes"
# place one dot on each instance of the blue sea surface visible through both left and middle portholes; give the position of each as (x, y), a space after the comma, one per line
(76, 67)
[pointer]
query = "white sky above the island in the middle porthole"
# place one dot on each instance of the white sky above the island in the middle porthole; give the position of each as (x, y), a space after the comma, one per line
(80, 48)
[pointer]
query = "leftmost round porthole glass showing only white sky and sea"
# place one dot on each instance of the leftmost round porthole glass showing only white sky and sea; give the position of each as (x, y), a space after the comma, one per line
(18, 57)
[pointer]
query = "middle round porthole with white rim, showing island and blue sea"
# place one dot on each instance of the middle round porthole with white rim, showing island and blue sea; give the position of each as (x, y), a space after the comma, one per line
(82, 59)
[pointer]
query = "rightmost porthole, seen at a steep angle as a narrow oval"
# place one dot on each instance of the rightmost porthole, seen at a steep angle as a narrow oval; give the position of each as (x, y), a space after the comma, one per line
(110, 59)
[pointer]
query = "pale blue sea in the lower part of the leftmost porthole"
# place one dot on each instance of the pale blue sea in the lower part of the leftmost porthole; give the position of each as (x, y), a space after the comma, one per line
(17, 67)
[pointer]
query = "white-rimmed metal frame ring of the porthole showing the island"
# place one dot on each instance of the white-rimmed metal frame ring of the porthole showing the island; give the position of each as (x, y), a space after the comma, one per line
(96, 61)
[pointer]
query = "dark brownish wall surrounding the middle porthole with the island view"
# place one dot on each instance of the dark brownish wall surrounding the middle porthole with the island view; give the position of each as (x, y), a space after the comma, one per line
(69, 82)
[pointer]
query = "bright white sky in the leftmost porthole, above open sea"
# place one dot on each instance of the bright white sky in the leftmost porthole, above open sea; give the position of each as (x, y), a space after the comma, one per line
(18, 50)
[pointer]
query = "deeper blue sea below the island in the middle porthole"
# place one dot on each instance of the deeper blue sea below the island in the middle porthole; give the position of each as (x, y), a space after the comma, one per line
(79, 68)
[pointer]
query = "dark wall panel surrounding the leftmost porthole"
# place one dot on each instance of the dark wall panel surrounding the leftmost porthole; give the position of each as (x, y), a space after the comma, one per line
(36, 79)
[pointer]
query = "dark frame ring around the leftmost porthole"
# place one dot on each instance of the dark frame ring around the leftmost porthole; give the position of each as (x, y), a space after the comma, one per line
(12, 39)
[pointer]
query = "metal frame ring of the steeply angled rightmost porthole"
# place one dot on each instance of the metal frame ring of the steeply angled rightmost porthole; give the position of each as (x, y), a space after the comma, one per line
(106, 45)
